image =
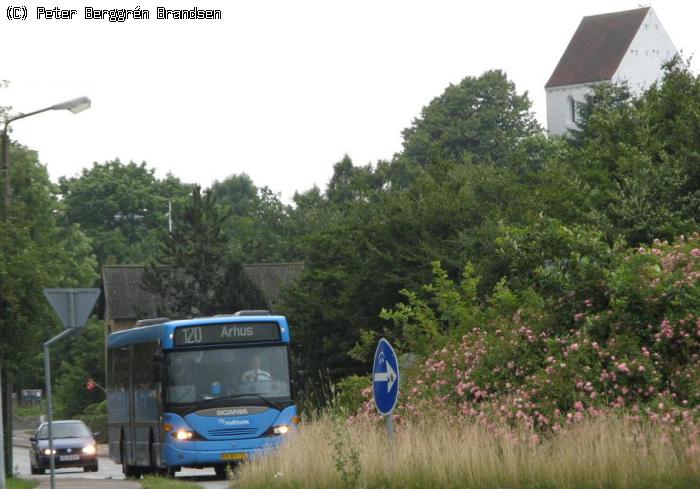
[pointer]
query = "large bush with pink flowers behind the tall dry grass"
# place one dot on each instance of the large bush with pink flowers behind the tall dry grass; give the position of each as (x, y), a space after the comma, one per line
(634, 347)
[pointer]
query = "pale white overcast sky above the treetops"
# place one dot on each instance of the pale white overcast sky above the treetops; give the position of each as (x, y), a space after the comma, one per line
(279, 90)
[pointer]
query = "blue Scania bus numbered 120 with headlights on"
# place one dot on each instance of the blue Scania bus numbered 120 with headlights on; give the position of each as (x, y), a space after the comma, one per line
(206, 392)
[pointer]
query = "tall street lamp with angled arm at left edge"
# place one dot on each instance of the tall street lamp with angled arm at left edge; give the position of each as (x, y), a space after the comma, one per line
(76, 105)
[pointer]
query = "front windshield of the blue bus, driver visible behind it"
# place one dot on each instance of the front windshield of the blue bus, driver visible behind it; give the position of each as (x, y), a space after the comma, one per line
(249, 375)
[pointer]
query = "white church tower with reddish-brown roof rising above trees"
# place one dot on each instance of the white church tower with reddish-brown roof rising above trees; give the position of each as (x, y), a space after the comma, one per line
(620, 47)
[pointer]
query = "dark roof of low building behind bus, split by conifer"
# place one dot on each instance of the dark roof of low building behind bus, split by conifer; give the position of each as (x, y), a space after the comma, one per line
(125, 297)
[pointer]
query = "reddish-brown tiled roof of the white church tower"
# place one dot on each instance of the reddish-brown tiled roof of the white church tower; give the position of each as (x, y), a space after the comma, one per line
(597, 48)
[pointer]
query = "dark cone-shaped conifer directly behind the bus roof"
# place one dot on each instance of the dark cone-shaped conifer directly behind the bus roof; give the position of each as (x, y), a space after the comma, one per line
(194, 270)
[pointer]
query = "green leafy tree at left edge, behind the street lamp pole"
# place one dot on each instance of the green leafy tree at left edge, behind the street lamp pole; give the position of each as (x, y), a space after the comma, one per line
(35, 253)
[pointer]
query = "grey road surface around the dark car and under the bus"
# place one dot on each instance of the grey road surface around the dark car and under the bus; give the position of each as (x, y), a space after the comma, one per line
(108, 470)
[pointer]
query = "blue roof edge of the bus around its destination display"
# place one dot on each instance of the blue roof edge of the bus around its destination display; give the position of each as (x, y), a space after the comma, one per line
(164, 331)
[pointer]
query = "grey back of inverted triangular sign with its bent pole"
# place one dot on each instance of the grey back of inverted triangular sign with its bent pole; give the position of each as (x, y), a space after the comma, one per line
(73, 306)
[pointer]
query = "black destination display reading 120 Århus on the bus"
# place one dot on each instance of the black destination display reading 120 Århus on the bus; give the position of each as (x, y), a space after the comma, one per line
(210, 334)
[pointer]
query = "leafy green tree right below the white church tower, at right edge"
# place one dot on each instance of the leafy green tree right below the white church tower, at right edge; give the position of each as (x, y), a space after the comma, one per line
(631, 169)
